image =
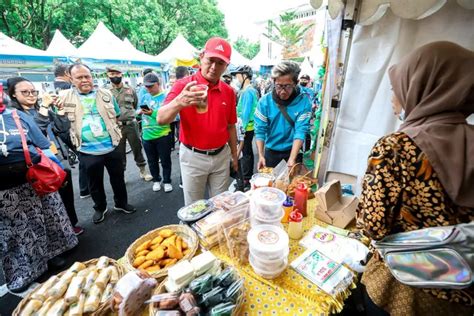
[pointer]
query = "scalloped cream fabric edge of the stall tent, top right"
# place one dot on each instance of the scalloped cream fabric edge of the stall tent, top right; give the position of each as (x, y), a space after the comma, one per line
(373, 10)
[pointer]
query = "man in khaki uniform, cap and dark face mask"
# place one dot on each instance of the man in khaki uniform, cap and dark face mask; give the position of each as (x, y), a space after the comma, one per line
(128, 101)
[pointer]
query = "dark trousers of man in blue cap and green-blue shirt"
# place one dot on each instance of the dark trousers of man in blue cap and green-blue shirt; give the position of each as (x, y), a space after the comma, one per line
(159, 149)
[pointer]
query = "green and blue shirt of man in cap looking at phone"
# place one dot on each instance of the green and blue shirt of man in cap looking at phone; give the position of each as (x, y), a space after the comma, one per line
(150, 128)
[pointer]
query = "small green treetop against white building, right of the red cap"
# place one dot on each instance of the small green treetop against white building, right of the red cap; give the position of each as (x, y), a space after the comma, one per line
(287, 33)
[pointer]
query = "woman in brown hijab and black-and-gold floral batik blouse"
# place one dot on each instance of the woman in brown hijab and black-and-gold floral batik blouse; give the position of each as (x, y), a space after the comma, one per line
(422, 175)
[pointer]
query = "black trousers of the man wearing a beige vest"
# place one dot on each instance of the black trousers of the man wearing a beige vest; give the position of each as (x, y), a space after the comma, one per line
(94, 166)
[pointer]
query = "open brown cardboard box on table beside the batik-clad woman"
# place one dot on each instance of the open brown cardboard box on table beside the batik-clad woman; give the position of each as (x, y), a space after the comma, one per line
(333, 208)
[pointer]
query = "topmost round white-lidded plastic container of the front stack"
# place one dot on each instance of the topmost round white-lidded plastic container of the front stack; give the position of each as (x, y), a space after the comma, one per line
(268, 242)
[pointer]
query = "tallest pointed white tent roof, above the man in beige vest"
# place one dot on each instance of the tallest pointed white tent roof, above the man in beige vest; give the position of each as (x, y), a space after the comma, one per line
(103, 44)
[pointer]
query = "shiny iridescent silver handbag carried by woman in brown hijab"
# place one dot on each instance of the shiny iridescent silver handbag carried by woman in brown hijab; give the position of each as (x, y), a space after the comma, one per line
(437, 257)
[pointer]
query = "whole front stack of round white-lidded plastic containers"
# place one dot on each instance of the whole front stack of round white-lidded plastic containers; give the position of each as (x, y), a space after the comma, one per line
(269, 249)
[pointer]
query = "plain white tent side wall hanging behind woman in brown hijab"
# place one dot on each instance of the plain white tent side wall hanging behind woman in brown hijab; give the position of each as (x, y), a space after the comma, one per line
(366, 114)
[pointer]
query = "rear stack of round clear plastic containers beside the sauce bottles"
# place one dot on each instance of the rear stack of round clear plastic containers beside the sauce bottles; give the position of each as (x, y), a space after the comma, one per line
(267, 203)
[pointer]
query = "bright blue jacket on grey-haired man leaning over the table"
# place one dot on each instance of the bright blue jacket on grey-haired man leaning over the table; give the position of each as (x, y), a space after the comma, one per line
(272, 127)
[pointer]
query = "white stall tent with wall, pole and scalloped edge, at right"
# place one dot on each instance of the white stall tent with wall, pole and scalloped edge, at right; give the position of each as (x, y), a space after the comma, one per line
(363, 113)
